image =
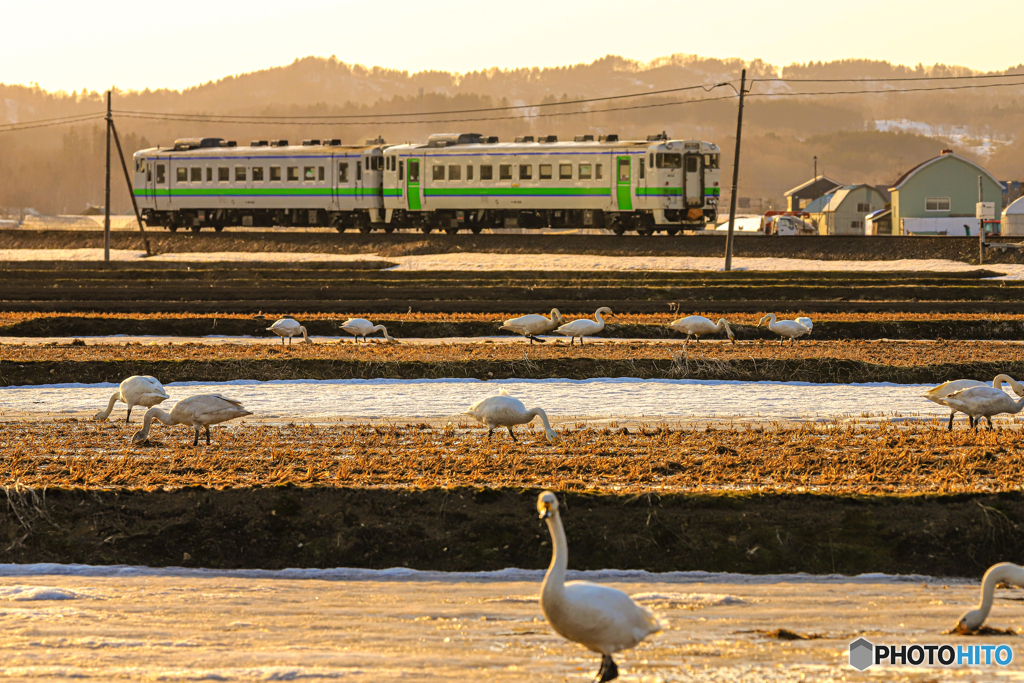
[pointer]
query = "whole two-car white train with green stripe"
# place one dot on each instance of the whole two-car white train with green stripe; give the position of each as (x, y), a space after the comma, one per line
(452, 183)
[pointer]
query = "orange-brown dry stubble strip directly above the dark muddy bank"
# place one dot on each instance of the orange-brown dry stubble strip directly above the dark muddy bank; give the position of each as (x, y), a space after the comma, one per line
(831, 460)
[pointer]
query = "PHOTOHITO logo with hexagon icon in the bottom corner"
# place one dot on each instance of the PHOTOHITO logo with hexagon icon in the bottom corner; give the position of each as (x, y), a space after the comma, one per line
(865, 655)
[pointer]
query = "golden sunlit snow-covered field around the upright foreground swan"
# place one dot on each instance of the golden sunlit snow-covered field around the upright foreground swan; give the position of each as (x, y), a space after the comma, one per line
(133, 624)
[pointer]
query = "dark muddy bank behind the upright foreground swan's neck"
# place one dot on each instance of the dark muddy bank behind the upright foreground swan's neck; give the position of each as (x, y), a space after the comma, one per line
(476, 530)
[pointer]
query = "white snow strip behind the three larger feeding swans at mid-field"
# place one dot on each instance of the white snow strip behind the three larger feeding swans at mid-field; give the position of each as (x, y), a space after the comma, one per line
(566, 401)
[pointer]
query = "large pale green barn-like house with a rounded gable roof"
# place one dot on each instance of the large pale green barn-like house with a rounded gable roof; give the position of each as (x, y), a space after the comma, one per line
(938, 197)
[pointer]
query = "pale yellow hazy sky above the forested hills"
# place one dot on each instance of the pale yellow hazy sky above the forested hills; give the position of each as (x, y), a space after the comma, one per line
(71, 46)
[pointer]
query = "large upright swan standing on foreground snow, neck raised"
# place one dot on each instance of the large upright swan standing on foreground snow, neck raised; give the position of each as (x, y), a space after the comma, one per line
(603, 620)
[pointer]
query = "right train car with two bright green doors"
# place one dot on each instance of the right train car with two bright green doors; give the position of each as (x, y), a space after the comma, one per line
(467, 181)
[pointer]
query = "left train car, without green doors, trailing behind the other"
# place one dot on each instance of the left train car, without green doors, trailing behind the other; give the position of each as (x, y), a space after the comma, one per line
(210, 183)
